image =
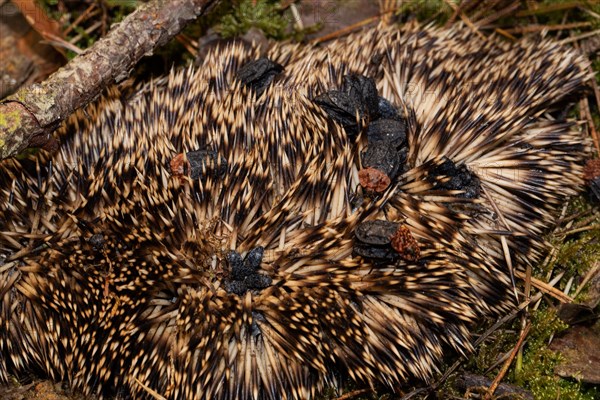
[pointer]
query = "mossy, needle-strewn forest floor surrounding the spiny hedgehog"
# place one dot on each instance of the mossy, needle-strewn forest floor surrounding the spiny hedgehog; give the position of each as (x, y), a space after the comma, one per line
(560, 370)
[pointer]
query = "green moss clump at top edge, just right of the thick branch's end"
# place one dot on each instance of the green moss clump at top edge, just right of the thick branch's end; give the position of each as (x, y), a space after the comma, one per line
(262, 14)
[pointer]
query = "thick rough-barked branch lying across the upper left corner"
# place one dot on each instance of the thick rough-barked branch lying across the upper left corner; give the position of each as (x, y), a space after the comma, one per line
(28, 117)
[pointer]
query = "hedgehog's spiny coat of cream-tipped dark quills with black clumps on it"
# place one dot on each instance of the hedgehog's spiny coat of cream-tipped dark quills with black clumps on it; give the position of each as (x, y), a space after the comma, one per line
(257, 227)
